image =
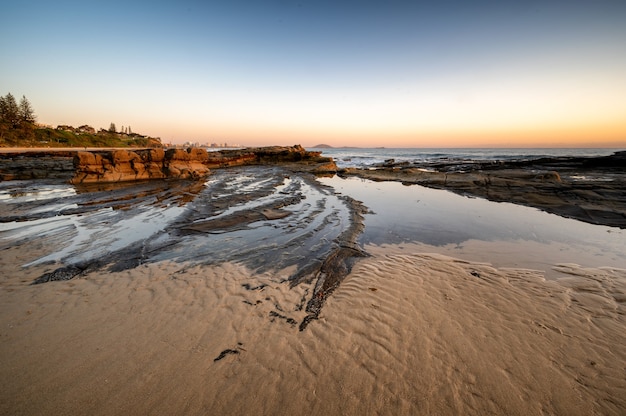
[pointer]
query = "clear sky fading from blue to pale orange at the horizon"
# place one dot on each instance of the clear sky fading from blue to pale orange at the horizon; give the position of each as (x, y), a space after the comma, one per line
(343, 73)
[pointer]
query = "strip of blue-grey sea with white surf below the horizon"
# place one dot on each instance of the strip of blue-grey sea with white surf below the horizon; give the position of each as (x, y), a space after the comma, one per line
(367, 157)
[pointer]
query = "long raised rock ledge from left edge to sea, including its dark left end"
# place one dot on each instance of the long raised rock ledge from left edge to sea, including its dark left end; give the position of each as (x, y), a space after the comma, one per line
(125, 165)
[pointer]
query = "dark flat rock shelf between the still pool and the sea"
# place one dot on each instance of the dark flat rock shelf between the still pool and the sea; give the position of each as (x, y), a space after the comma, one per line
(591, 189)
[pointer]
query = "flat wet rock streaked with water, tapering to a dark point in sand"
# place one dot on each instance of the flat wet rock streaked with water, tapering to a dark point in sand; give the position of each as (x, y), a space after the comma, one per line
(266, 217)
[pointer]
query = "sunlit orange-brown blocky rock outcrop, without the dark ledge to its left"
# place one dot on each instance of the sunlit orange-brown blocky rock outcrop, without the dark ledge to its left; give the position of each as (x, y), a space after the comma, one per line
(194, 163)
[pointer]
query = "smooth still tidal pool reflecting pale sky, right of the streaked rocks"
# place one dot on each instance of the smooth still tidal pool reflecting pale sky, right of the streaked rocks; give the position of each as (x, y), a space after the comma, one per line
(440, 218)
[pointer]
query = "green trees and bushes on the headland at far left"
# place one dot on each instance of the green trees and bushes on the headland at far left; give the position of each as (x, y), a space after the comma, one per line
(18, 129)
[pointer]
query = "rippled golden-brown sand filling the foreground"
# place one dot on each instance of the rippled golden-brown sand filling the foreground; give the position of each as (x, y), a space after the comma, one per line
(404, 334)
